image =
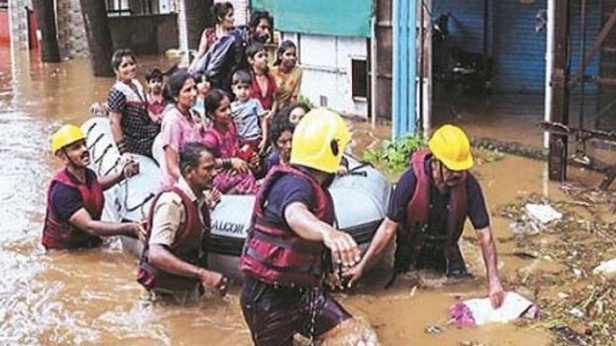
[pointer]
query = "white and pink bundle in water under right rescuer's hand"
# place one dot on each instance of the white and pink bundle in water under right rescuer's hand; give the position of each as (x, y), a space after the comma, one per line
(476, 312)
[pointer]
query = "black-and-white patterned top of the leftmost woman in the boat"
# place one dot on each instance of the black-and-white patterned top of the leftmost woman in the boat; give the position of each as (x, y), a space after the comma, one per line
(138, 128)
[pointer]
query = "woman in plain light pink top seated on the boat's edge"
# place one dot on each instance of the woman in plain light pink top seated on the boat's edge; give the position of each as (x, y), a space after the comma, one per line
(179, 126)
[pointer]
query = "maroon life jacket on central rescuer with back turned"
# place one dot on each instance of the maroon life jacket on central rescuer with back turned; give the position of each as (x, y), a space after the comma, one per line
(274, 253)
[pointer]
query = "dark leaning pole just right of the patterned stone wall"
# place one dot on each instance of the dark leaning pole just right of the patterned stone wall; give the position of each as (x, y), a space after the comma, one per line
(94, 14)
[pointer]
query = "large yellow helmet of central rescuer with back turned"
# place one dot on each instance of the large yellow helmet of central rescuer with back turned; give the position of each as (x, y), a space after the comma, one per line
(319, 140)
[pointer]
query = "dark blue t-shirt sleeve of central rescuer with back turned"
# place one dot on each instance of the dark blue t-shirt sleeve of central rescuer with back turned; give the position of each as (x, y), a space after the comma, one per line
(288, 189)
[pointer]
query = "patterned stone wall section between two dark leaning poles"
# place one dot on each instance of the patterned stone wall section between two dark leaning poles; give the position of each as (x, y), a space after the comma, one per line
(71, 30)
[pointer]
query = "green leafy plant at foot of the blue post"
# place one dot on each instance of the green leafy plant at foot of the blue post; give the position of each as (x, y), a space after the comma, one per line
(395, 156)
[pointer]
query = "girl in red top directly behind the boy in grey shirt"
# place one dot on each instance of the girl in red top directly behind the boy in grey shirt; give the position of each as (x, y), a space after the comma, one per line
(264, 87)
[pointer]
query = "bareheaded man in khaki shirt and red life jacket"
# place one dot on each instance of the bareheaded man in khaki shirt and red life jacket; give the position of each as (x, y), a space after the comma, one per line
(173, 260)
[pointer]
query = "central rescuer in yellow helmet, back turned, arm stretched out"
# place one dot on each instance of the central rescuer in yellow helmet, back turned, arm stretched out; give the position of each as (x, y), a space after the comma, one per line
(285, 257)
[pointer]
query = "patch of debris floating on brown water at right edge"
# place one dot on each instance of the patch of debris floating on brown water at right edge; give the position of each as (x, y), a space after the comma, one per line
(577, 307)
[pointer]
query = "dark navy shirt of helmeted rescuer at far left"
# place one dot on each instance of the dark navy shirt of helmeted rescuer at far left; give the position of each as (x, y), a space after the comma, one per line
(66, 200)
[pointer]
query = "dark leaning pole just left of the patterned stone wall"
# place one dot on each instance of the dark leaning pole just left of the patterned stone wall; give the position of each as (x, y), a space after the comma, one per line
(45, 13)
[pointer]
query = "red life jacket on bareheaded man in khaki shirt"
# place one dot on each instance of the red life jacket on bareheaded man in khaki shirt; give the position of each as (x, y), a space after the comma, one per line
(188, 245)
